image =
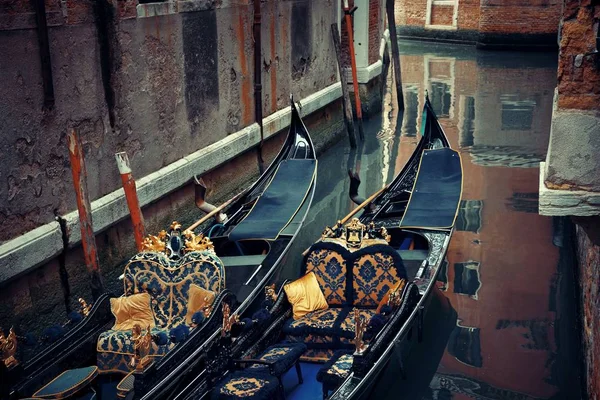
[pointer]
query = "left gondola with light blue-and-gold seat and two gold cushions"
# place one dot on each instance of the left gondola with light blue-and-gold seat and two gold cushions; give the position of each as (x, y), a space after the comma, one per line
(175, 290)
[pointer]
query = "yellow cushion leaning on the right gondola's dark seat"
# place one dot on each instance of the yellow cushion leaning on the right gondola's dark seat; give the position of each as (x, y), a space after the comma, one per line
(305, 295)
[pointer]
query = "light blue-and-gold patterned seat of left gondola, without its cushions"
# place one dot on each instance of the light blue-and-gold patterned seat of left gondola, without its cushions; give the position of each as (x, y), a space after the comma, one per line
(167, 281)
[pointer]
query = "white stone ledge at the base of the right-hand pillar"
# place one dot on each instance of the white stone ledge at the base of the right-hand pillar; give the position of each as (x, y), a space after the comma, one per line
(578, 203)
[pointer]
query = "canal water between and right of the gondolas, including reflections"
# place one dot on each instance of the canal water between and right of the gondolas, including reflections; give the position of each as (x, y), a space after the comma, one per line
(502, 323)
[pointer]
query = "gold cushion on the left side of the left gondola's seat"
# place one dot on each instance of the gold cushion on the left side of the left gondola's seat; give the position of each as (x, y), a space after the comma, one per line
(131, 310)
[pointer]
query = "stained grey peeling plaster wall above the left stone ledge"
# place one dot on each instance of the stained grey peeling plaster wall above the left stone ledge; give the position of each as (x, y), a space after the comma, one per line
(157, 87)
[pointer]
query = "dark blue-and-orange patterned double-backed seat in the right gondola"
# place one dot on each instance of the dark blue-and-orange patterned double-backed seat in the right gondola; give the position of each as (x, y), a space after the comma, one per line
(349, 278)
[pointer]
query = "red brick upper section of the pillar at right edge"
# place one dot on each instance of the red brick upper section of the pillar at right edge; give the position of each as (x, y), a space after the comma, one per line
(579, 75)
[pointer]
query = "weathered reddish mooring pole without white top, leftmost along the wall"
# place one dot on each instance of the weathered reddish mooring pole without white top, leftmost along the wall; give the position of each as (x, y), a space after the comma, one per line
(88, 241)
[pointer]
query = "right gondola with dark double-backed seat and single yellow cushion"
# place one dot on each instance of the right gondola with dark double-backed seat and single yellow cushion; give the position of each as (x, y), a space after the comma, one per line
(361, 297)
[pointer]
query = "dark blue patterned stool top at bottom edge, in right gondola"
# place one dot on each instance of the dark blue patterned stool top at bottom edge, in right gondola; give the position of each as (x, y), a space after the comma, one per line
(243, 384)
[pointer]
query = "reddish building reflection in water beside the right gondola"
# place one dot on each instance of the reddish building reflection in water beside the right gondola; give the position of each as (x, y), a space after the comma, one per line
(502, 264)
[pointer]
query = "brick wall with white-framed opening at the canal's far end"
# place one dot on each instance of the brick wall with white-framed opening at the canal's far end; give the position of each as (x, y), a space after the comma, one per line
(489, 23)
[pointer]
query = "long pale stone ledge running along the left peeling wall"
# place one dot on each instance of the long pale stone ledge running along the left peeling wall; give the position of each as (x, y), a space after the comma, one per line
(40, 245)
